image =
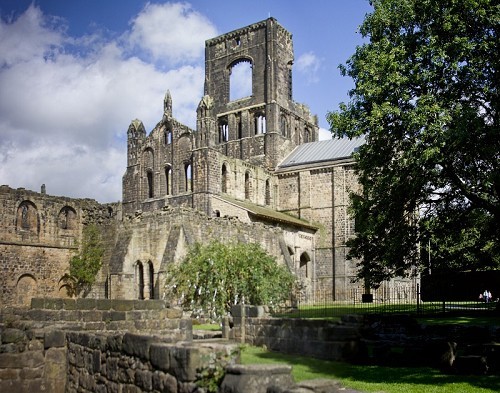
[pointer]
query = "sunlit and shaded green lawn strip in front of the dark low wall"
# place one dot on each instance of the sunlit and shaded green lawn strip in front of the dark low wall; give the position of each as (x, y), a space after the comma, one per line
(375, 378)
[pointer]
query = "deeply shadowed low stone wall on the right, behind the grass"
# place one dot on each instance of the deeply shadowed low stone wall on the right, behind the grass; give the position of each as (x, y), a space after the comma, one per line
(396, 340)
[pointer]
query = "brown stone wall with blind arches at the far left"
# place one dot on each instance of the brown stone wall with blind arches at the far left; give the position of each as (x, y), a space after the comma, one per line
(39, 234)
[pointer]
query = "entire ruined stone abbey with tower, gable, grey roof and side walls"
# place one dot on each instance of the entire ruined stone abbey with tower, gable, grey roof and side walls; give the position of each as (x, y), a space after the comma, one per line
(252, 171)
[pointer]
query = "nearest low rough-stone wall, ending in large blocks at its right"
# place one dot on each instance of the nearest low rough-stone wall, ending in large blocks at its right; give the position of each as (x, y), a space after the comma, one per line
(143, 363)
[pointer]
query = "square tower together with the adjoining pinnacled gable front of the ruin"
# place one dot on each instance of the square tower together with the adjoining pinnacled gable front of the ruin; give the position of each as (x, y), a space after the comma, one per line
(239, 141)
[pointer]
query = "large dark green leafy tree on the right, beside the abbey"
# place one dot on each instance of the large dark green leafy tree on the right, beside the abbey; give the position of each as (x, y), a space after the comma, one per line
(426, 99)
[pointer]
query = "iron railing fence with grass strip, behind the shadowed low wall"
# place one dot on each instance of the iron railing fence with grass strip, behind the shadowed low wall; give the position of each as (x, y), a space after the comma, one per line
(384, 300)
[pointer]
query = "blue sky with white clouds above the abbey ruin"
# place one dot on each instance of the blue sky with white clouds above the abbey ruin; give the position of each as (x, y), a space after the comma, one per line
(74, 73)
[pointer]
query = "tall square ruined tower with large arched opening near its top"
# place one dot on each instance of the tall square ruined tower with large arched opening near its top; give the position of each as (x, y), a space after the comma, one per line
(264, 126)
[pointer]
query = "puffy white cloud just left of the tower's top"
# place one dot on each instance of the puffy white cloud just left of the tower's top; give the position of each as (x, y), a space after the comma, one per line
(171, 32)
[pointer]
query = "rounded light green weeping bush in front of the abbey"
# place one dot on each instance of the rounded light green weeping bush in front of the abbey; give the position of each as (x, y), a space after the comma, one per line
(214, 276)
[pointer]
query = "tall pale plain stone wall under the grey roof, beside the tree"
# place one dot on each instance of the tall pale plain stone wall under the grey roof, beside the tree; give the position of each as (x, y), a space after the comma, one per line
(320, 194)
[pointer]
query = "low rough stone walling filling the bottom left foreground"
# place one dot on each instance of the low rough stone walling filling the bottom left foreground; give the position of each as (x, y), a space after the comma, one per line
(64, 345)
